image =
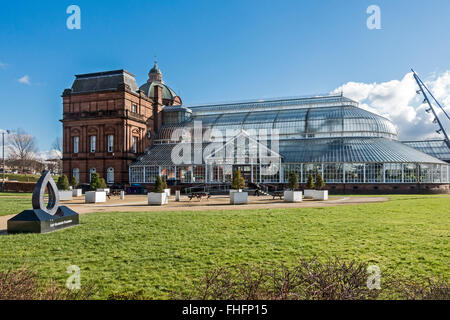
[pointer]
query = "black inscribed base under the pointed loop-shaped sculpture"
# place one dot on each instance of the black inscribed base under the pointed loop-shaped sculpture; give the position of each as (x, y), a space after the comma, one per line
(38, 221)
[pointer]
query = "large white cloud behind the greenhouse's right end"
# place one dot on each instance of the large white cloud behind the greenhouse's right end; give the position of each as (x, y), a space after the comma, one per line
(398, 101)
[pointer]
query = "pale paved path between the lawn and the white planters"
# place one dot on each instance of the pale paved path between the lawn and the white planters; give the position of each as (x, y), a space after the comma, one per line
(139, 203)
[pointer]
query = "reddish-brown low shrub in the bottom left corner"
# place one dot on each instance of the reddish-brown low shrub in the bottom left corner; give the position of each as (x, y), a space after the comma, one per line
(23, 284)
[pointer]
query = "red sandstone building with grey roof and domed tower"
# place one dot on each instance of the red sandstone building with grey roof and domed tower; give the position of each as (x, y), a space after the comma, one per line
(108, 121)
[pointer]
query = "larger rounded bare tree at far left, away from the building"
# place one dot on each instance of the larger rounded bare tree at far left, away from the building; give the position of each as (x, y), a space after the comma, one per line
(22, 148)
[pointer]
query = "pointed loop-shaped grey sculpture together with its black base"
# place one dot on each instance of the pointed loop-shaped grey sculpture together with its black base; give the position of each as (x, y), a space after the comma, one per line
(43, 218)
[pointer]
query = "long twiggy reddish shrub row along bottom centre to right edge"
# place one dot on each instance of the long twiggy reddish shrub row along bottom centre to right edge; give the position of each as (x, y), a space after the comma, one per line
(309, 279)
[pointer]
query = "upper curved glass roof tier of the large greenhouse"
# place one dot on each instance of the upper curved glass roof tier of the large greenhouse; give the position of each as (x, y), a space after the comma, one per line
(342, 121)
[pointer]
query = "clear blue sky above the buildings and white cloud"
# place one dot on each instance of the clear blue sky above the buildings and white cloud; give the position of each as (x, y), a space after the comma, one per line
(211, 50)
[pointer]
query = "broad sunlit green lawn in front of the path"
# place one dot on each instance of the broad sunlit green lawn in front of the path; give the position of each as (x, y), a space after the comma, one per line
(163, 251)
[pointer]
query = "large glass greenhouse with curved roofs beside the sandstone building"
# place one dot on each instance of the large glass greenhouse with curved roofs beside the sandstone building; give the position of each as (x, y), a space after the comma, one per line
(267, 139)
